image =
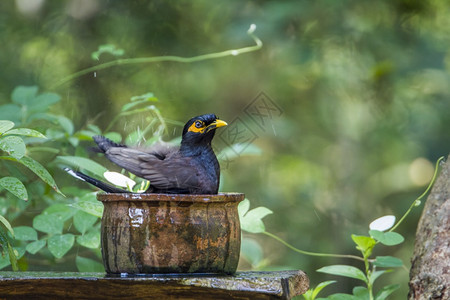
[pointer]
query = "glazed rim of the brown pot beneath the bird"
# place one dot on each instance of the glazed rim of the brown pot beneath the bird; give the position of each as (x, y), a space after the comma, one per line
(154, 197)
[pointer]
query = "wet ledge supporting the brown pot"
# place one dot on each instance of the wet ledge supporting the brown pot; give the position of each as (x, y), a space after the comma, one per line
(72, 285)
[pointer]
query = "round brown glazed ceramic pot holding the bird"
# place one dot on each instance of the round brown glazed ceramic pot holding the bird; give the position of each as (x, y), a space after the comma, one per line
(169, 233)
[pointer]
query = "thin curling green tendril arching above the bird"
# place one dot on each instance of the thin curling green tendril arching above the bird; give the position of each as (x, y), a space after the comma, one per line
(141, 60)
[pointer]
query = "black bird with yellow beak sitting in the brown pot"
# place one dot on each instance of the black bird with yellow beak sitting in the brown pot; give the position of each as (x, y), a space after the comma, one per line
(191, 168)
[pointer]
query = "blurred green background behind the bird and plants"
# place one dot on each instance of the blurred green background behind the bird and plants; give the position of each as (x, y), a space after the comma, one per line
(362, 90)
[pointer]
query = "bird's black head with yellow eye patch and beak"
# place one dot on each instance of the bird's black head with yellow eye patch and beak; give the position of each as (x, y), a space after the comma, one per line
(200, 130)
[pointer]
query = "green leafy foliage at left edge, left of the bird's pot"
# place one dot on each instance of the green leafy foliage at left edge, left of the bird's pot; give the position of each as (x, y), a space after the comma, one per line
(47, 233)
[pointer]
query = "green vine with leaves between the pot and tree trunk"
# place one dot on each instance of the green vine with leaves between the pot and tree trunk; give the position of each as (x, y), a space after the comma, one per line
(252, 222)
